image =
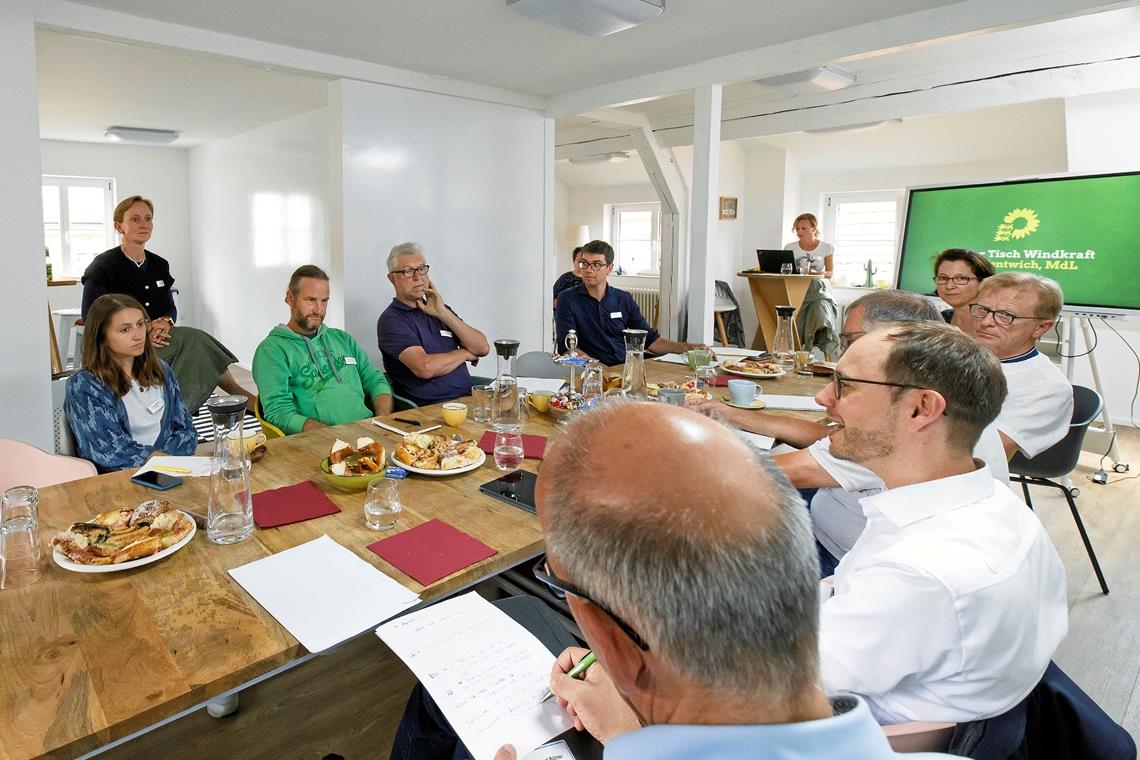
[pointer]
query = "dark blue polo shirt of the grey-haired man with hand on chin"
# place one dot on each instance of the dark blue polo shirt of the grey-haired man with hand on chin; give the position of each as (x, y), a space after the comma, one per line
(402, 326)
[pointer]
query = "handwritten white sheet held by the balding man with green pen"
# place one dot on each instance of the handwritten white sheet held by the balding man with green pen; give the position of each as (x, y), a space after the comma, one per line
(485, 672)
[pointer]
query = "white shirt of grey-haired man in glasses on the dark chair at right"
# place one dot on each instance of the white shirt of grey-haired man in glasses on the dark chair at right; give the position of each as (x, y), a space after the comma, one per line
(1039, 403)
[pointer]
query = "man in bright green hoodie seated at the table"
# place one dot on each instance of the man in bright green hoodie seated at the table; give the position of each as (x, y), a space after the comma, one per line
(311, 375)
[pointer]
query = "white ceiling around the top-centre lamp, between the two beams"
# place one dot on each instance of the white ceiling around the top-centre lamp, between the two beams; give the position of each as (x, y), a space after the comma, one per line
(482, 42)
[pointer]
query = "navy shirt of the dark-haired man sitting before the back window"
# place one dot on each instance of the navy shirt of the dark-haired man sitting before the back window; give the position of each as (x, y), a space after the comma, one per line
(600, 323)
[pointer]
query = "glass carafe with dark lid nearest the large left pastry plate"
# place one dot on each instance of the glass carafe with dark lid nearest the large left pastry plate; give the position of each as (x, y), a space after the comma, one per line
(230, 517)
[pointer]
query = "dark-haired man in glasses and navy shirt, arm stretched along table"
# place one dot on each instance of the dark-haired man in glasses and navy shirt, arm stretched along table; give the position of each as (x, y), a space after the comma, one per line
(599, 313)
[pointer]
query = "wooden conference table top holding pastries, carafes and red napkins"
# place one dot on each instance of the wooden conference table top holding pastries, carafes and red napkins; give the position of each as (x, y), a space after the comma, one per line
(89, 659)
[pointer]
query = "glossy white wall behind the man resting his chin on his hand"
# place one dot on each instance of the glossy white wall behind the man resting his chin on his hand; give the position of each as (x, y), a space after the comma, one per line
(467, 181)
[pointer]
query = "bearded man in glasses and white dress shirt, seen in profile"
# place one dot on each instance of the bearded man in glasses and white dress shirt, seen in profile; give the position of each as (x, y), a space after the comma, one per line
(952, 601)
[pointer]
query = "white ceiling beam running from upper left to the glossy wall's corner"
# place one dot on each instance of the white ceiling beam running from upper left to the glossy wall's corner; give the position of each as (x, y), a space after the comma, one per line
(66, 17)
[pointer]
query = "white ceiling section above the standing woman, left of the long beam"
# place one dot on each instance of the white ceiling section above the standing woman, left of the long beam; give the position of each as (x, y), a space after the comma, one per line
(88, 85)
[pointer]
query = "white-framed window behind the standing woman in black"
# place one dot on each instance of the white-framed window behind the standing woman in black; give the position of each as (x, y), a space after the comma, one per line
(77, 222)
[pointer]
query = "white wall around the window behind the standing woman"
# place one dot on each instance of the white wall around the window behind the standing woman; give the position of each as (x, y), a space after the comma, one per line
(157, 174)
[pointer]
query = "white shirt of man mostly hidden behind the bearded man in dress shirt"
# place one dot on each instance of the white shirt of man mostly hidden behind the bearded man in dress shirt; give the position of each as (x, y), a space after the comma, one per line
(837, 514)
